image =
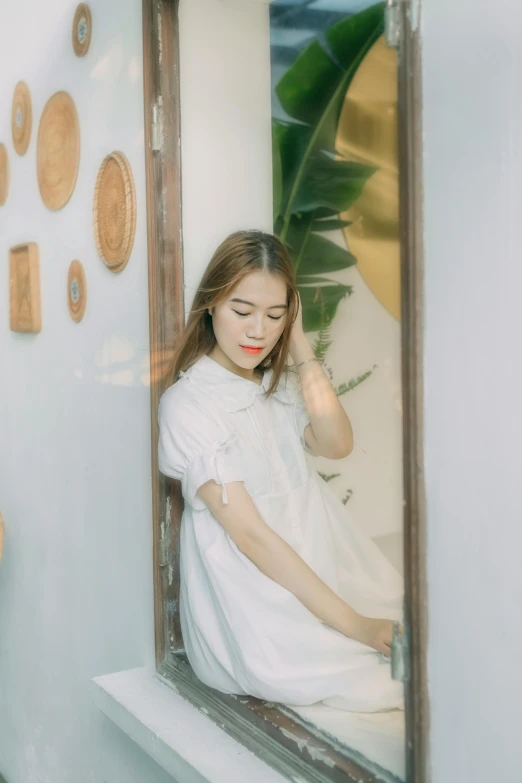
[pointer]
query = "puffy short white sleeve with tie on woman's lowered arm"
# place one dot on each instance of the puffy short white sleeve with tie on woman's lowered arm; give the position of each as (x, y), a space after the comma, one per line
(194, 447)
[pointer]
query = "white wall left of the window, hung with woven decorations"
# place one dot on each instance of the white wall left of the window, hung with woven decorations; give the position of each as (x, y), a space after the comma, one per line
(76, 577)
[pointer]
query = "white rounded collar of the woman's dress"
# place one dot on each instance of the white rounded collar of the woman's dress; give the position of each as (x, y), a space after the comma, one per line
(228, 390)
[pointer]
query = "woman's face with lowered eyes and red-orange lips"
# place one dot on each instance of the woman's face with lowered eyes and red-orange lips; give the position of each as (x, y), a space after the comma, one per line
(253, 315)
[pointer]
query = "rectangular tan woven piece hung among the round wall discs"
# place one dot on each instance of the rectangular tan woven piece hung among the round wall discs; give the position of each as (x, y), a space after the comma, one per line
(24, 288)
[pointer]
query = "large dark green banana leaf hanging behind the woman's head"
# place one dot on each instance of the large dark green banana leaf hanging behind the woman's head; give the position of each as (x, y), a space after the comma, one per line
(312, 184)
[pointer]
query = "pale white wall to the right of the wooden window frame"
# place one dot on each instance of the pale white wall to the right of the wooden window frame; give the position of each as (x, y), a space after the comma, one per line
(472, 82)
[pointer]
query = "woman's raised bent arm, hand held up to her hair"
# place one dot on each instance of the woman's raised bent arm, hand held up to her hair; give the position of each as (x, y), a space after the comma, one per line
(331, 431)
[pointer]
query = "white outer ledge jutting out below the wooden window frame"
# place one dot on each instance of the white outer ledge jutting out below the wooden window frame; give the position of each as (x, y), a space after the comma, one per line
(178, 736)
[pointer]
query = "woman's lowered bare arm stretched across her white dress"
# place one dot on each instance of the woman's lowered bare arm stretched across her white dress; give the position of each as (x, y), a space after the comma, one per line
(277, 560)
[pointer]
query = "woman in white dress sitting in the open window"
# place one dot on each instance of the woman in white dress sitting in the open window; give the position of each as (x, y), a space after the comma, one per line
(282, 597)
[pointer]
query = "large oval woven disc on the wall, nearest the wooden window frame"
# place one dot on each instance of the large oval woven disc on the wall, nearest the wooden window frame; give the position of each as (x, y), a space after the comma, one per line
(114, 211)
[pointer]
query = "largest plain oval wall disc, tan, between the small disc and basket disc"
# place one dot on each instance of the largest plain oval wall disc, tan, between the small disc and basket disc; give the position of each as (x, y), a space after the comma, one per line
(58, 153)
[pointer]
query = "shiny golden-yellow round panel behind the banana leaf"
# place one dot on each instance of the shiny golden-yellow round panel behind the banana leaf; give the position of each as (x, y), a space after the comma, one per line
(367, 133)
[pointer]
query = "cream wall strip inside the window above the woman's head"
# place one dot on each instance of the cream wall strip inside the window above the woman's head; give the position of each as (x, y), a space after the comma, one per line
(225, 126)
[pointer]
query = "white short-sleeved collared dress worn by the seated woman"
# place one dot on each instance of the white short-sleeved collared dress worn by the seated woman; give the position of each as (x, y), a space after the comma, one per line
(243, 632)
